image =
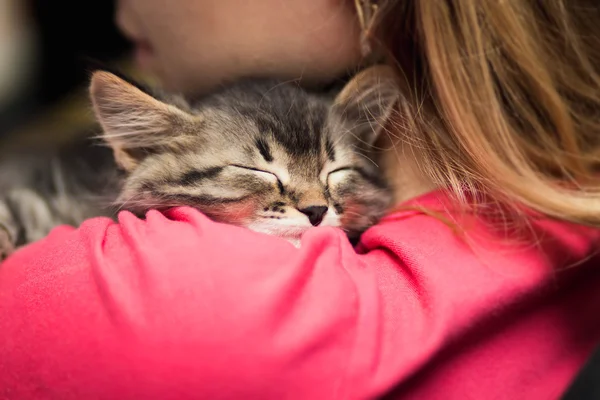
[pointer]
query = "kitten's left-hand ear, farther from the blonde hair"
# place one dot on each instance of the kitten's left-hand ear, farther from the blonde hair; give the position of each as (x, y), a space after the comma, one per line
(134, 123)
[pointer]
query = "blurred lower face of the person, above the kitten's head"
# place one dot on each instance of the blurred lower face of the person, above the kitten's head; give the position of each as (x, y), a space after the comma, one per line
(193, 45)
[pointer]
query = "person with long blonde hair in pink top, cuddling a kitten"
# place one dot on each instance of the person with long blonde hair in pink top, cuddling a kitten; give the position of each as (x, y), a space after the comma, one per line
(482, 282)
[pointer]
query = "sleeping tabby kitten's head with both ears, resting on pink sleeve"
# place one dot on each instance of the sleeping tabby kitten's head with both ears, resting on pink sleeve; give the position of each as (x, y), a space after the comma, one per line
(261, 154)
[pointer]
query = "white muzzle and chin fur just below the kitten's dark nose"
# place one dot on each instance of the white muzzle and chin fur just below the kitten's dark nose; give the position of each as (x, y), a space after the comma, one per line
(290, 229)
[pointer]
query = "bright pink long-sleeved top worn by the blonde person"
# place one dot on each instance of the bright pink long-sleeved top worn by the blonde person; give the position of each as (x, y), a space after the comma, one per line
(179, 307)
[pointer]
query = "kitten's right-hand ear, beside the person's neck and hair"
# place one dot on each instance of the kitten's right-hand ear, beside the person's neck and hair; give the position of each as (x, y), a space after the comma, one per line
(368, 101)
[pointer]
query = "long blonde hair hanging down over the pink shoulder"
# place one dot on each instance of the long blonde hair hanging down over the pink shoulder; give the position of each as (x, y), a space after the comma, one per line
(503, 97)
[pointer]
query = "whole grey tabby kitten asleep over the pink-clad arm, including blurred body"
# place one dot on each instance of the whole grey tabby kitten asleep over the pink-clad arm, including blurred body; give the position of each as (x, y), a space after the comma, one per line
(266, 155)
